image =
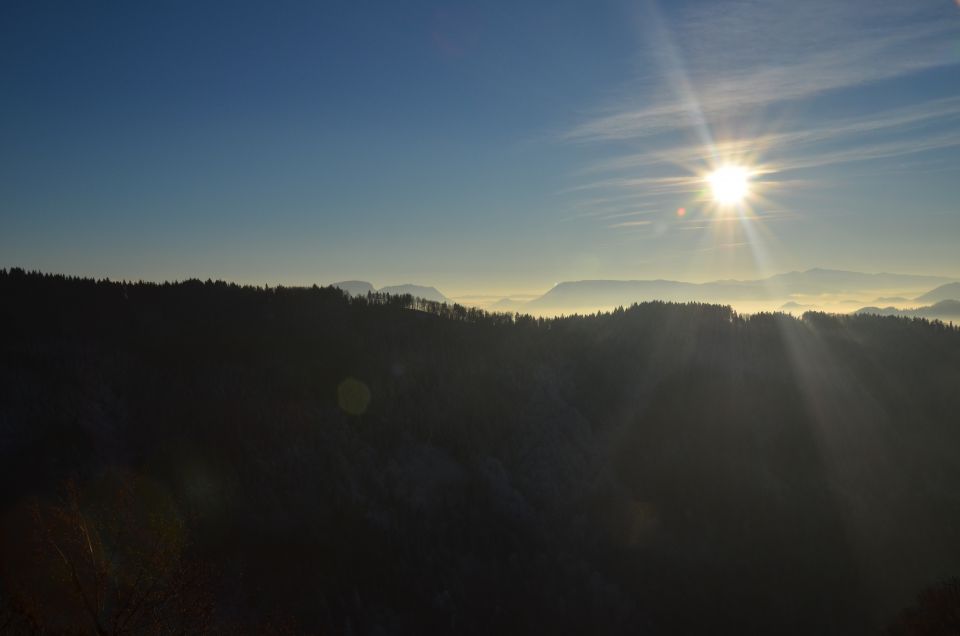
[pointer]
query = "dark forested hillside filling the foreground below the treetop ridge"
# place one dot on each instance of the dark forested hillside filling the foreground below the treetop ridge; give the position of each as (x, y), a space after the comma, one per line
(358, 466)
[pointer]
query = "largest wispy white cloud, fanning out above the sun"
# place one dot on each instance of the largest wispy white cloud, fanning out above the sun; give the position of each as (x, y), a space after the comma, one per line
(744, 54)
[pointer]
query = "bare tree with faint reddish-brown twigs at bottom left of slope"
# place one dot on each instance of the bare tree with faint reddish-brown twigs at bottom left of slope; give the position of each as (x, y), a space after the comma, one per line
(110, 560)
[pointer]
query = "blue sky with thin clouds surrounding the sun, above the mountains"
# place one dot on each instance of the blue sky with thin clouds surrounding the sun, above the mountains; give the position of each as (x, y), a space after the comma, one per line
(485, 148)
